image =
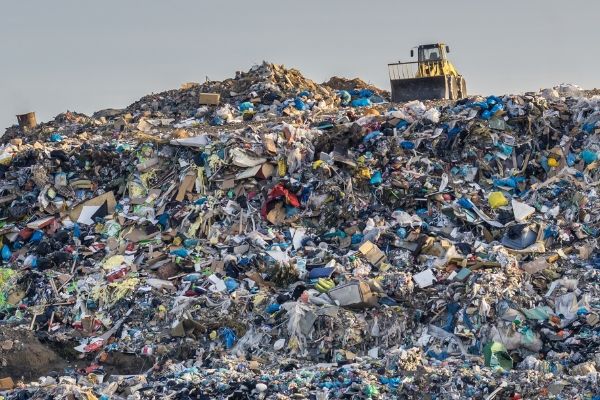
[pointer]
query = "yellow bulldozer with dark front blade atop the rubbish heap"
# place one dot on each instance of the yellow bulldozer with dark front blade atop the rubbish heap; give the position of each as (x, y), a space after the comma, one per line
(431, 77)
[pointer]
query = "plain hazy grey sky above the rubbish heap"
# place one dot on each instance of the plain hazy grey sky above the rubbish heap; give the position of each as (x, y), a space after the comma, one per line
(85, 56)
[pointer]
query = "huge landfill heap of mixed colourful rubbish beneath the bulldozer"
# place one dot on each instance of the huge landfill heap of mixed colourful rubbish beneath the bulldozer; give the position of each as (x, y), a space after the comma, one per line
(268, 237)
